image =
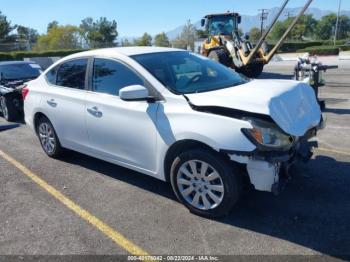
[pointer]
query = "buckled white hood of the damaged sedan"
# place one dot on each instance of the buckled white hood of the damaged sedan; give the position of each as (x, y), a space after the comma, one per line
(291, 104)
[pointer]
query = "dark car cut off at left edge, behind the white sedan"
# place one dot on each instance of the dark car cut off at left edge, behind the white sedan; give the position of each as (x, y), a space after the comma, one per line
(12, 77)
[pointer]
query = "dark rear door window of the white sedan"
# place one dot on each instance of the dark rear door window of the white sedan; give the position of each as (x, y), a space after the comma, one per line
(72, 74)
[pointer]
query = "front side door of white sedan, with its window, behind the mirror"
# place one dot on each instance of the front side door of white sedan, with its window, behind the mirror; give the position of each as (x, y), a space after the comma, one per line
(122, 131)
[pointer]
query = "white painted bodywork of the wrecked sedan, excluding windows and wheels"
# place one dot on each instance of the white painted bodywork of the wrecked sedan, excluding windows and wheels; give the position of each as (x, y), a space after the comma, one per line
(138, 134)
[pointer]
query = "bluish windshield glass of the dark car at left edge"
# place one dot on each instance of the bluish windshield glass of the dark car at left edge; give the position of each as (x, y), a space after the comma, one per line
(19, 71)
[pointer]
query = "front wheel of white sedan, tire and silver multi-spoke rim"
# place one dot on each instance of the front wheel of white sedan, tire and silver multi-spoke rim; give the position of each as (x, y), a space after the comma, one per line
(221, 178)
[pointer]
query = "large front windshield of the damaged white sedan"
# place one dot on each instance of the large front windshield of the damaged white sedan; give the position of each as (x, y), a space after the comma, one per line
(186, 73)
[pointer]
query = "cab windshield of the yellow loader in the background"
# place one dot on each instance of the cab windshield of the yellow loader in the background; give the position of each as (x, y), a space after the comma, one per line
(221, 25)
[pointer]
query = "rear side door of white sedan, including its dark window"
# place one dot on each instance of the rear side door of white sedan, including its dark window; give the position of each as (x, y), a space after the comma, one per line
(65, 102)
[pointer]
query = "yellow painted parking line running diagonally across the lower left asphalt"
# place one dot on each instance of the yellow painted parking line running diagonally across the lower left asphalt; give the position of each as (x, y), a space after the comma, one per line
(118, 238)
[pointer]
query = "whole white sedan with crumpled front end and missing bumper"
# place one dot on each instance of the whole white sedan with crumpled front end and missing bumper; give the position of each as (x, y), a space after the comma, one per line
(176, 116)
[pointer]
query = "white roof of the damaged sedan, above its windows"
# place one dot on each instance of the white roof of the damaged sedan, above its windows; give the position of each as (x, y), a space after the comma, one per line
(127, 51)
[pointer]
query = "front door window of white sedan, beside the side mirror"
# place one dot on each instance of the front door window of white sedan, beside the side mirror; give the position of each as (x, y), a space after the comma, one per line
(110, 76)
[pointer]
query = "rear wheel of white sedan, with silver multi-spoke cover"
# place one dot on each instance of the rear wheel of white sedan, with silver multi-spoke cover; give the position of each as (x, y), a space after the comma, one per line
(48, 138)
